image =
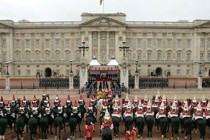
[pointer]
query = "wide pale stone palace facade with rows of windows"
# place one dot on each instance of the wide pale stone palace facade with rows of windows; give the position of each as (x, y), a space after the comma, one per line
(178, 49)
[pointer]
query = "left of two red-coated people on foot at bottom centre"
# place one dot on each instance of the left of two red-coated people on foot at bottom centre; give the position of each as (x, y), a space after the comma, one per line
(88, 130)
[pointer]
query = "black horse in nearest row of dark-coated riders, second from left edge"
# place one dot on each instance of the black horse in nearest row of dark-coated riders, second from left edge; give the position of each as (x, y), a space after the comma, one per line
(20, 124)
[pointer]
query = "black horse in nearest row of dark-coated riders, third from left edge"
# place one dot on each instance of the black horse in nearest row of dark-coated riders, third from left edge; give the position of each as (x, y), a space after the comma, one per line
(33, 124)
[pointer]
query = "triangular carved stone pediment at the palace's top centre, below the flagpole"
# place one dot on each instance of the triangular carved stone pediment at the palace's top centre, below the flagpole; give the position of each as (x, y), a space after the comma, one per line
(103, 21)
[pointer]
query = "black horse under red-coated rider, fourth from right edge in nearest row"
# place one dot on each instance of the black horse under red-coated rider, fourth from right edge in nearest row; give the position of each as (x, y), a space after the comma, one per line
(175, 126)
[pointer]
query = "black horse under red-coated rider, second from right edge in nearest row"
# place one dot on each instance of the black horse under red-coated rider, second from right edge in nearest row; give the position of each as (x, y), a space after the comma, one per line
(201, 124)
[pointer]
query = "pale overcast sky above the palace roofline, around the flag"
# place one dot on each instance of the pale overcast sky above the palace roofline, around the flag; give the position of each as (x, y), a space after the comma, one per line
(136, 10)
